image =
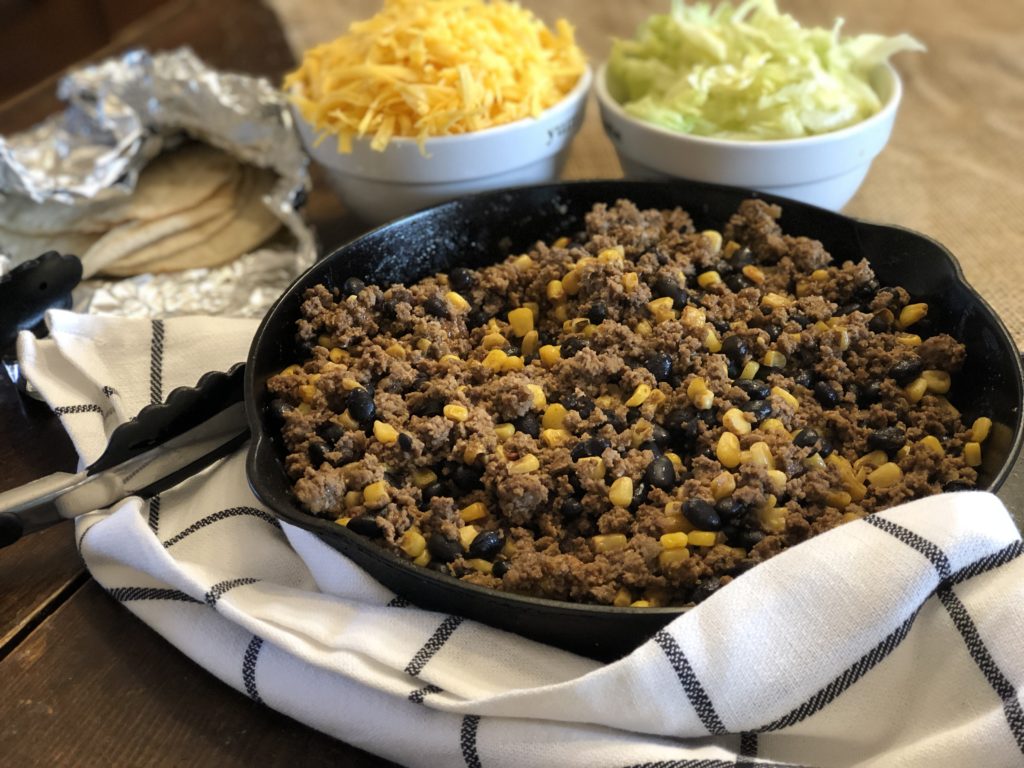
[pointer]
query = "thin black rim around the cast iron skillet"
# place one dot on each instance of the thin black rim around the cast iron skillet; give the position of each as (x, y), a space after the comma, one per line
(262, 450)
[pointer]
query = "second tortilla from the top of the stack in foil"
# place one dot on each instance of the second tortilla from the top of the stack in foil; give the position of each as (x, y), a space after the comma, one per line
(123, 241)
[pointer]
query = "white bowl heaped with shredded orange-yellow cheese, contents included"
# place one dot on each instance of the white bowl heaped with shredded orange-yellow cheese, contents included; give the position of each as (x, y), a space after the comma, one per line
(431, 100)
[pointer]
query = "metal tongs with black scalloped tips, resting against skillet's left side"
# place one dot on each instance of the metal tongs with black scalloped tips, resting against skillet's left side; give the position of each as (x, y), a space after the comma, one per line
(166, 444)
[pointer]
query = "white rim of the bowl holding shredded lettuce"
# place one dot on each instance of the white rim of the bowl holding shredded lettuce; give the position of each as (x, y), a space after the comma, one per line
(883, 115)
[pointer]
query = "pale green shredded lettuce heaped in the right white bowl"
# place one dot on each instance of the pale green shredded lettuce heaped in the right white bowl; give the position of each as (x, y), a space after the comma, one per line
(747, 72)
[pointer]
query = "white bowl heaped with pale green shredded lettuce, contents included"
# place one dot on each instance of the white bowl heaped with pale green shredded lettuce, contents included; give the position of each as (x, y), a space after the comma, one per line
(745, 96)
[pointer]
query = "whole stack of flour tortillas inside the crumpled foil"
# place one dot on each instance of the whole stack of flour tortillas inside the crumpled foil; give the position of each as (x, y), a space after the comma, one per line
(193, 207)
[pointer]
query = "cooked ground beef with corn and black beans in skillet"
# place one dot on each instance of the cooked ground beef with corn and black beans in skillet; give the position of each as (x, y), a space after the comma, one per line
(633, 416)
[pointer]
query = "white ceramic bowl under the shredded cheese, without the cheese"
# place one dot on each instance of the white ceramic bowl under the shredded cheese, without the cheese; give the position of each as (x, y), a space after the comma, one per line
(382, 186)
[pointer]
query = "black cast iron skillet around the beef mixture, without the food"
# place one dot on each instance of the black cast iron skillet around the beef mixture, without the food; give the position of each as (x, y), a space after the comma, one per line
(485, 229)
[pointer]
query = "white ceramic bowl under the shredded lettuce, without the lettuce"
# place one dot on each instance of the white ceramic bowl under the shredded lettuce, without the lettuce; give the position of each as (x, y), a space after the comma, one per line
(824, 170)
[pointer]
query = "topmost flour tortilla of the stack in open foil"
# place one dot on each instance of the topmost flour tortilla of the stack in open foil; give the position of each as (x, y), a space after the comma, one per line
(173, 183)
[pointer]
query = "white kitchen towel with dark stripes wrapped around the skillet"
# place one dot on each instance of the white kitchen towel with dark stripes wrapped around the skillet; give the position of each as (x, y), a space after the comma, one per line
(890, 642)
